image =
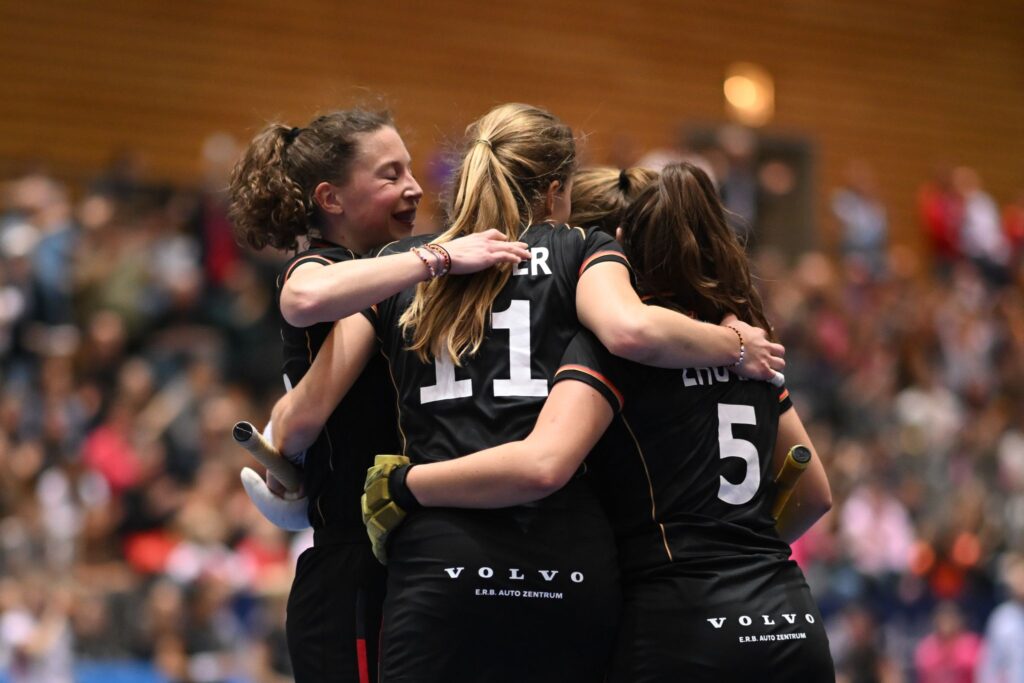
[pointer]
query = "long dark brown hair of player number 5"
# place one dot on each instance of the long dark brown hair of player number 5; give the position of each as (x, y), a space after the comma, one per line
(682, 249)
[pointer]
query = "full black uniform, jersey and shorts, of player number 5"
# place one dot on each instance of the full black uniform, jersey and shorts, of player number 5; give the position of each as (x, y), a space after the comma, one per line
(710, 593)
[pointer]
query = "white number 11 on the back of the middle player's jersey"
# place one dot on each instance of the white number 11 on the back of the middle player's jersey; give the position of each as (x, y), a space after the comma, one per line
(516, 319)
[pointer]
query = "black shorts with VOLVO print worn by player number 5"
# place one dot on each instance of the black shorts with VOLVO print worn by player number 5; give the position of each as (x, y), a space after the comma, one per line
(775, 634)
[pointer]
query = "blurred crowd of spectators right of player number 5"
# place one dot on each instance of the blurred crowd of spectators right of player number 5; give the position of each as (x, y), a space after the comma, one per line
(909, 365)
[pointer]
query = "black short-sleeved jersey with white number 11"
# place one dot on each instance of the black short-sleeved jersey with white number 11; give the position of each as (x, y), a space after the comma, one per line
(495, 397)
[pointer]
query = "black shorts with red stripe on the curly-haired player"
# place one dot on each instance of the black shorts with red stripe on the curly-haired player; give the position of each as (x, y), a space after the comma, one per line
(334, 611)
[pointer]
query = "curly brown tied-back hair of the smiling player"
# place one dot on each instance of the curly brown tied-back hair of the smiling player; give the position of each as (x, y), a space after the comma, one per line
(272, 189)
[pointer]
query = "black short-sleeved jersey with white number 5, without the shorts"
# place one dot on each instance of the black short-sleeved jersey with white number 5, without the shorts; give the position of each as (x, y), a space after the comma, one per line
(685, 468)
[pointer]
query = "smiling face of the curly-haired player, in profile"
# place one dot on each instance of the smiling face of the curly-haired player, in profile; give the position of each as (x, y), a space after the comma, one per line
(378, 202)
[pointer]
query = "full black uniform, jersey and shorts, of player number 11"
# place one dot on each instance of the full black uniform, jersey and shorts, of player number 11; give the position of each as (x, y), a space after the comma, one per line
(527, 593)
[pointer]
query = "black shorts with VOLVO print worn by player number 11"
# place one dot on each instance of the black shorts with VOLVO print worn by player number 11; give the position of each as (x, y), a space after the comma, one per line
(522, 594)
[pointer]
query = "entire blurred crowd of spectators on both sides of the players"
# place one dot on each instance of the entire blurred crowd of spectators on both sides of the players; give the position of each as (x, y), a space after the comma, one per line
(134, 333)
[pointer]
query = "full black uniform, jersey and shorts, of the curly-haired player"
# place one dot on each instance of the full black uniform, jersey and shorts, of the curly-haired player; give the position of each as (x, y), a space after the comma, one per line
(334, 609)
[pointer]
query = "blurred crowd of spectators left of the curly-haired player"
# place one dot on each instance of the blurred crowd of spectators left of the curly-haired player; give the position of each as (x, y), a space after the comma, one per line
(135, 333)
